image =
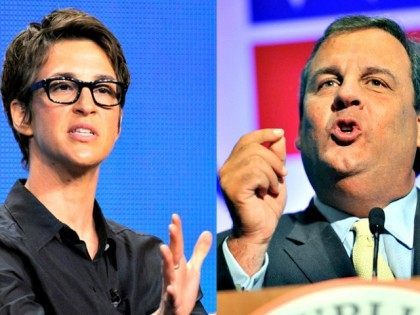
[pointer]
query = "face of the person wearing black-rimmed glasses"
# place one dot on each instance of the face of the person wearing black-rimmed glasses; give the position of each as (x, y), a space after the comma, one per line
(81, 134)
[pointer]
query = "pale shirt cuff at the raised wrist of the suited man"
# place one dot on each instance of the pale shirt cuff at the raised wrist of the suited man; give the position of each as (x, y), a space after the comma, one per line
(241, 279)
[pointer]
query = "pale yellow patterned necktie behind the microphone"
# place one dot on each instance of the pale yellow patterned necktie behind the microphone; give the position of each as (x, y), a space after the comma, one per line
(362, 254)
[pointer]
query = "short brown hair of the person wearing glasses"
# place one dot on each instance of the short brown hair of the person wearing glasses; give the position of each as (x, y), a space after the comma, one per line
(28, 52)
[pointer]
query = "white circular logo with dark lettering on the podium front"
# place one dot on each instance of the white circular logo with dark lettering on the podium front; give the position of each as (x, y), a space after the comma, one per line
(348, 297)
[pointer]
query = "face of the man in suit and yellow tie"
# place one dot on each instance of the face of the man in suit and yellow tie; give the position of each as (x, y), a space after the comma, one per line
(359, 115)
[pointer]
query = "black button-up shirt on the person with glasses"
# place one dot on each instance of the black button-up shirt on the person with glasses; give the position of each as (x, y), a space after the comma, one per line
(45, 268)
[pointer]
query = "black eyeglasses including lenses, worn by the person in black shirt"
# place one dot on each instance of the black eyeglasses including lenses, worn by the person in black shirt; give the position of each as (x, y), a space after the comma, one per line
(63, 90)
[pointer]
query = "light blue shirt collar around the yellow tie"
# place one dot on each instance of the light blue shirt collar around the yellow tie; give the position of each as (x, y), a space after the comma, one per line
(399, 218)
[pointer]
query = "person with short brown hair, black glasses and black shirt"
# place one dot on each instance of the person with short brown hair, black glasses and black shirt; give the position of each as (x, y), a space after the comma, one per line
(63, 86)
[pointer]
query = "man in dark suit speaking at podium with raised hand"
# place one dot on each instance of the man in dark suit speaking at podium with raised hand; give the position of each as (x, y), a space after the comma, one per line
(358, 136)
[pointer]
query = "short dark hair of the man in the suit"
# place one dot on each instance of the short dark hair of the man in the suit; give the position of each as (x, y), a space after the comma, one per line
(353, 23)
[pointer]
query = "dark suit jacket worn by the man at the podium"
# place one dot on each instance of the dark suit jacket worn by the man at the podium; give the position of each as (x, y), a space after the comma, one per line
(305, 249)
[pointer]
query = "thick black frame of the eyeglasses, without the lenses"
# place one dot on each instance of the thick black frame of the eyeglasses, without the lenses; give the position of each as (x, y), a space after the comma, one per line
(45, 84)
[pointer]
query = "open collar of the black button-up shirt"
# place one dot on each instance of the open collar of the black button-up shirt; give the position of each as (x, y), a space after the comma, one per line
(41, 226)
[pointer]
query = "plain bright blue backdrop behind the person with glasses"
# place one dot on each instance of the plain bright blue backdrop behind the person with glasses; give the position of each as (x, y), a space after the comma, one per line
(164, 161)
